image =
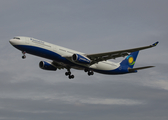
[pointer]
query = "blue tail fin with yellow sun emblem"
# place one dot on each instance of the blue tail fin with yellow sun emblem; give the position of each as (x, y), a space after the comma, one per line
(130, 59)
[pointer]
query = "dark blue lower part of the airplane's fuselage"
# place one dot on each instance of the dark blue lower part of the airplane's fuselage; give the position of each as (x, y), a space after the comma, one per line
(41, 52)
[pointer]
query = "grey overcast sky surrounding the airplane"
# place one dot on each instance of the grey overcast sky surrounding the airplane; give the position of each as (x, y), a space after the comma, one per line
(89, 26)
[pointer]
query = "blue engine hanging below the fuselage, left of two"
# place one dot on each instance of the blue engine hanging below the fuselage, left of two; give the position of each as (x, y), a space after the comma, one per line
(47, 66)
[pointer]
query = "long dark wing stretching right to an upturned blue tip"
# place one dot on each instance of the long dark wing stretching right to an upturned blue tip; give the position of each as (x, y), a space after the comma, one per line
(95, 58)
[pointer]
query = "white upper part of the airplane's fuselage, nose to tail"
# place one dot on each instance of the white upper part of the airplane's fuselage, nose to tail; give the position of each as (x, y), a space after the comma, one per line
(63, 52)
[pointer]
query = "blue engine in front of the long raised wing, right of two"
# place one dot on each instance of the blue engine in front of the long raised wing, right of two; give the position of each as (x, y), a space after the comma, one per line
(81, 59)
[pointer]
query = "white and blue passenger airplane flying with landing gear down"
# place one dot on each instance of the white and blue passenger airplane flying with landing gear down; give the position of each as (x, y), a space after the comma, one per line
(64, 58)
